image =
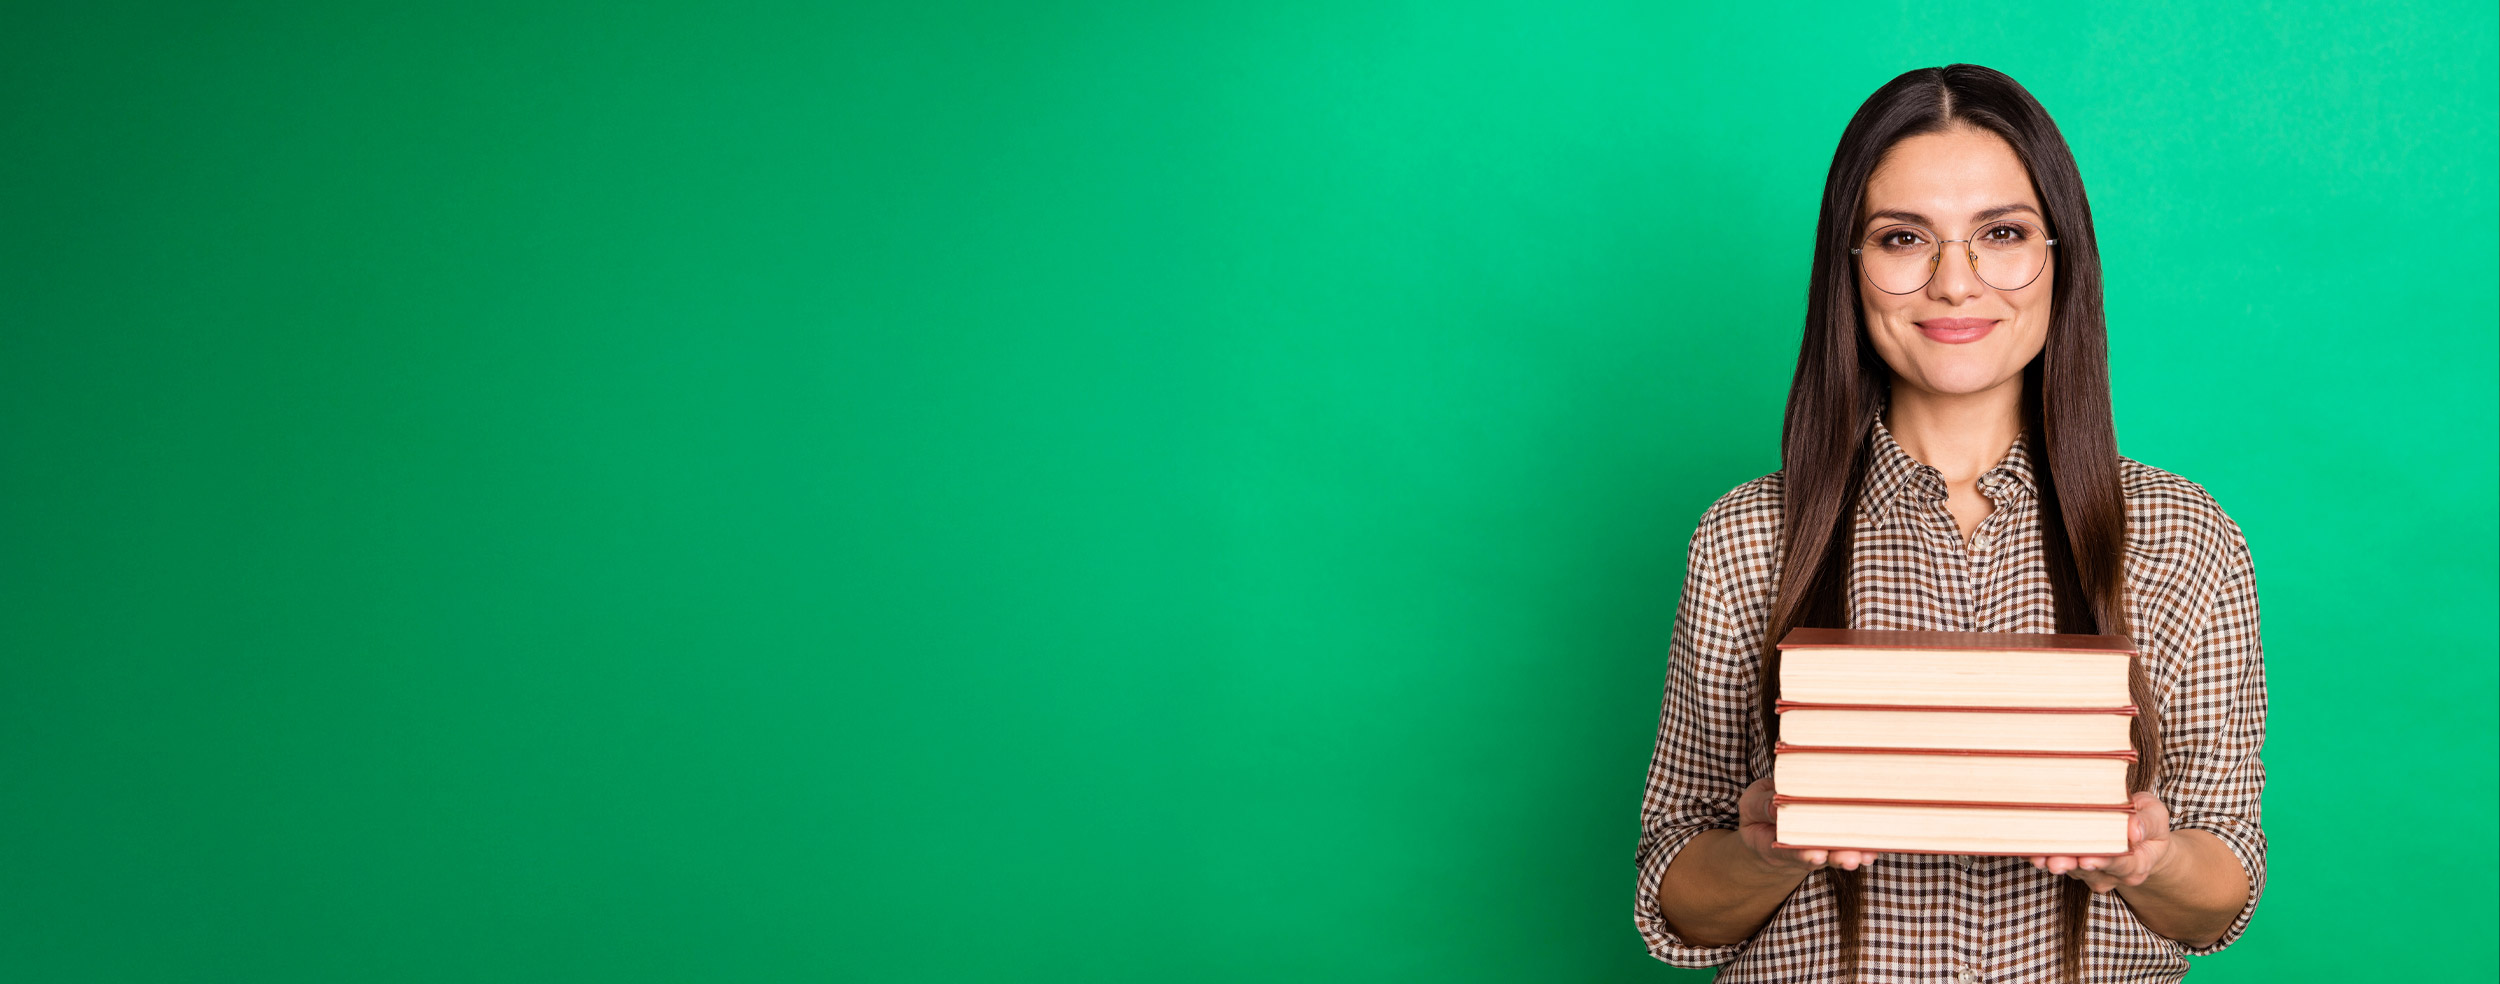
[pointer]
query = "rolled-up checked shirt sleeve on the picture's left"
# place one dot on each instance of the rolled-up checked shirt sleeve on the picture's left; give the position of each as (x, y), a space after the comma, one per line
(1701, 763)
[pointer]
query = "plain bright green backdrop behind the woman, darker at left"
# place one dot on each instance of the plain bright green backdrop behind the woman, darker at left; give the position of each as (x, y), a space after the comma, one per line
(1116, 493)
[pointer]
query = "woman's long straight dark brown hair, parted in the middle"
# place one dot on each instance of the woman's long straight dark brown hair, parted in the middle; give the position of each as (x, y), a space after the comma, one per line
(2066, 418)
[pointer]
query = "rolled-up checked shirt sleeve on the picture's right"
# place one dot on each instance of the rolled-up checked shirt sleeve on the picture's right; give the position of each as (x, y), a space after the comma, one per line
(2214, 728)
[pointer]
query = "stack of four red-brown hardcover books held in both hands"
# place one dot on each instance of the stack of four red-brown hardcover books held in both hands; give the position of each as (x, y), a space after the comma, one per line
(1954, 743)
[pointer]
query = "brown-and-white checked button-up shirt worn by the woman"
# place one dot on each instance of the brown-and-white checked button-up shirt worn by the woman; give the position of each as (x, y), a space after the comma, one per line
(1936, 918)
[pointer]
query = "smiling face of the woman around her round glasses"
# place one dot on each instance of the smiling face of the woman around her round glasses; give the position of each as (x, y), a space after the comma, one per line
(1956, 336)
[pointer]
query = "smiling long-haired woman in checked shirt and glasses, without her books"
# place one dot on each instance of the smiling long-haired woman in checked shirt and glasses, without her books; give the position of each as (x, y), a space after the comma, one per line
(1949, 463)
